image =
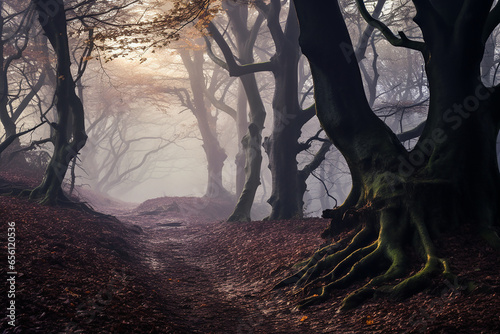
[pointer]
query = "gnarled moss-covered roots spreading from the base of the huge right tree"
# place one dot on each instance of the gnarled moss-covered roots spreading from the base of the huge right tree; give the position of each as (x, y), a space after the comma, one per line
(383, 260)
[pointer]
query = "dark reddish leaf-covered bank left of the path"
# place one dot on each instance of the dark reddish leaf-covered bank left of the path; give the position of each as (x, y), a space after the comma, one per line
(76, 273)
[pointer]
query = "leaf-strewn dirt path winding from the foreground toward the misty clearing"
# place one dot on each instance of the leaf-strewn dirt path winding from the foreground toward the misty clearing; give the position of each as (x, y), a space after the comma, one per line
(210, 299)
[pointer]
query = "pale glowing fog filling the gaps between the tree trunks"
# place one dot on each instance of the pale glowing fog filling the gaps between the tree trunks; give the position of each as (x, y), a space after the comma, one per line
(153, 112)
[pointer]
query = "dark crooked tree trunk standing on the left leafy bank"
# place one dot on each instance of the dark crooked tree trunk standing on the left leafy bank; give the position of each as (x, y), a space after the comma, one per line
(70, 134)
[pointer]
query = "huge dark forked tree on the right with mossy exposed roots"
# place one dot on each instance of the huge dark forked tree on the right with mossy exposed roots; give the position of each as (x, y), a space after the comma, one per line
(448, 180)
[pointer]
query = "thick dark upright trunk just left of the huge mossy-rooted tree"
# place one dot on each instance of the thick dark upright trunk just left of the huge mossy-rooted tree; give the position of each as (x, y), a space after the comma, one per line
(282, 146)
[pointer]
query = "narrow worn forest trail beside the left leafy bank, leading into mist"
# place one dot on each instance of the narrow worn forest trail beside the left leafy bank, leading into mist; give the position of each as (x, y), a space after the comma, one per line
(178, 268)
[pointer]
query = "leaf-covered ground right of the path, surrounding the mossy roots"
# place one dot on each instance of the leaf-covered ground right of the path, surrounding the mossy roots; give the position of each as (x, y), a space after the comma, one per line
(261, 253)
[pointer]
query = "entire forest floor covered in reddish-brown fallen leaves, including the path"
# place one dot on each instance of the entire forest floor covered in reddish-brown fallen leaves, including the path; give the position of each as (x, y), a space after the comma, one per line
(172, 265)
